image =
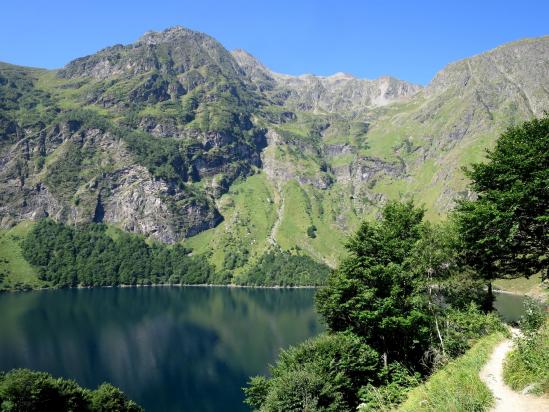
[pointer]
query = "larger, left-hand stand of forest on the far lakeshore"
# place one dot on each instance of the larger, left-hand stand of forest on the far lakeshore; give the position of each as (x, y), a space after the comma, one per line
(88, 256)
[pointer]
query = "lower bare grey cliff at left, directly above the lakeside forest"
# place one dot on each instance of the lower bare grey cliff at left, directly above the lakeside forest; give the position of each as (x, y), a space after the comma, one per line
(112, 189)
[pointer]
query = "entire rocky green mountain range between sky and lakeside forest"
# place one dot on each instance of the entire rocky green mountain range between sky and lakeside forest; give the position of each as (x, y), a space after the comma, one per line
(176, 138)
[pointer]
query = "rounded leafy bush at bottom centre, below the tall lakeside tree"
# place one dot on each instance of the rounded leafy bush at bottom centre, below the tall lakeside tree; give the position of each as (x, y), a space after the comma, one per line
(323, 373)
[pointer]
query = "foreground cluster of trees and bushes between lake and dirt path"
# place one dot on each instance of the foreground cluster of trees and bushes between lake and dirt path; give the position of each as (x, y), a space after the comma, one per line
(396, 308)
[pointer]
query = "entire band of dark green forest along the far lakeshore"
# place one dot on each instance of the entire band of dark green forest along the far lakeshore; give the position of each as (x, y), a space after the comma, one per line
(88, 255)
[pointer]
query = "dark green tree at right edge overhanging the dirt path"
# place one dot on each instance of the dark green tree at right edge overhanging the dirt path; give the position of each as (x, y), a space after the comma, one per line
(504, 231)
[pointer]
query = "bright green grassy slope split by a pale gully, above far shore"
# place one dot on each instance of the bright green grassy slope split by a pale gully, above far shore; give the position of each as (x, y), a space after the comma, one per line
(250, 213)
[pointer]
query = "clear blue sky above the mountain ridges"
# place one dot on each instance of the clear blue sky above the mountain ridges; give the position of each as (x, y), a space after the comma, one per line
(411, 40)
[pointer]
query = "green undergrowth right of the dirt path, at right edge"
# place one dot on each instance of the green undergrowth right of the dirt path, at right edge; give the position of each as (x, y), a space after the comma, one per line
(528, 364)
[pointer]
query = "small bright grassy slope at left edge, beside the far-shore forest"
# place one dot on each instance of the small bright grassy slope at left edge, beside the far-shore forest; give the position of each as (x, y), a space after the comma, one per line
(17, 272)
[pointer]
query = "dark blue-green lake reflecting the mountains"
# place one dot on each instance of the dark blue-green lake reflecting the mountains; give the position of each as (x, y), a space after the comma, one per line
(168, 348)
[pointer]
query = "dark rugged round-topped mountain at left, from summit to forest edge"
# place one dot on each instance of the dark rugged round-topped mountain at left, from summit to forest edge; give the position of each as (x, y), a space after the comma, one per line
(162, 127)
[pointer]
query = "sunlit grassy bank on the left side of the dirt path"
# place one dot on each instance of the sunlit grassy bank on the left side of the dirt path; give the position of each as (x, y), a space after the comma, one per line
(456, 387)
